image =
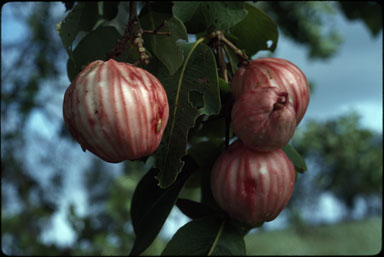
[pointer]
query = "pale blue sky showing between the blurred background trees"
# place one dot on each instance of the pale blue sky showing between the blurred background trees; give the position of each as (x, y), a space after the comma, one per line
(352, 80)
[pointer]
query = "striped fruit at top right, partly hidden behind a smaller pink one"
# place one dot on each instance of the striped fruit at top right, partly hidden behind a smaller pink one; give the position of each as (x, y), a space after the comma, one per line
(274, 72)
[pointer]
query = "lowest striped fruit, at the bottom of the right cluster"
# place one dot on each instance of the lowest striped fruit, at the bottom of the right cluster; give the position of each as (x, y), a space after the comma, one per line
(252, 186)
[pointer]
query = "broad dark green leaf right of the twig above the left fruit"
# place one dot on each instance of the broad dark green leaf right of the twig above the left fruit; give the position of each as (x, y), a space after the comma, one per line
(164, 47)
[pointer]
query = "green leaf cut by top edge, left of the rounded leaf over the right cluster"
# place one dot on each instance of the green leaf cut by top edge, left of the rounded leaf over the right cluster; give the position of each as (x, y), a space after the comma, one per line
(222, 15)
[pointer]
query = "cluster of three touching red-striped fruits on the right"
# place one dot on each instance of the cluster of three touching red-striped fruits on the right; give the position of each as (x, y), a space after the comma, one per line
(253, 179)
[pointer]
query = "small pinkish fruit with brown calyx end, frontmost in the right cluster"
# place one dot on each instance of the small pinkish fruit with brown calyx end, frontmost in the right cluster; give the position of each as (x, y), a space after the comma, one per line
(264, 118)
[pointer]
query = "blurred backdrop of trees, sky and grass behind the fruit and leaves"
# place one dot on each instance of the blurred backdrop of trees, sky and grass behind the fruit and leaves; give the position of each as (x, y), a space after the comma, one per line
(58, 200)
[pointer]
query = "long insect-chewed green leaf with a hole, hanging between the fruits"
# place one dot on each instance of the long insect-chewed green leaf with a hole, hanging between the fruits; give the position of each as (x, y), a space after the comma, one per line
(198, 74)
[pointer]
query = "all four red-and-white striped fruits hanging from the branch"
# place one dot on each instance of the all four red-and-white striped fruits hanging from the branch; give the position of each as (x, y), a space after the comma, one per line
(119, 112)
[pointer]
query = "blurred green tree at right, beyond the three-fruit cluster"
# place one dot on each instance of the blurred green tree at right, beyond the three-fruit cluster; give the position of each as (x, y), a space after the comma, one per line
(349, 161)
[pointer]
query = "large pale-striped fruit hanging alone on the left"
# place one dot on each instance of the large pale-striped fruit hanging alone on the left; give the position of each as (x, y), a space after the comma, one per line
(116, 111)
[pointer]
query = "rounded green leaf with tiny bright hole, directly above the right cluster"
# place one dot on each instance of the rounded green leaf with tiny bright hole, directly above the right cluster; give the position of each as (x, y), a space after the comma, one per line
(255, 32)
